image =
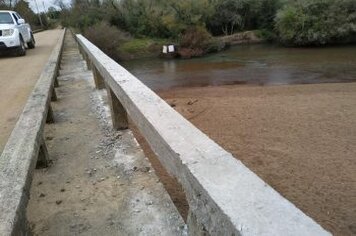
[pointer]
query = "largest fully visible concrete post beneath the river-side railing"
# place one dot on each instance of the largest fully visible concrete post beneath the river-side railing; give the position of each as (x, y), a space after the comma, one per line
(118, 112)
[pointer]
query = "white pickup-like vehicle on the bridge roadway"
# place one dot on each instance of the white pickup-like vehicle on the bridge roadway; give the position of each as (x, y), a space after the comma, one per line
(15, 33)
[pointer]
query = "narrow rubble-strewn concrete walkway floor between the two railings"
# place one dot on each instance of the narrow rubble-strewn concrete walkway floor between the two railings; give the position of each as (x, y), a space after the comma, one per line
(100, 183)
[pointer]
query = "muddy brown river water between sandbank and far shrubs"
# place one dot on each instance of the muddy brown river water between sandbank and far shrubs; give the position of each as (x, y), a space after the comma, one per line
(261, 64)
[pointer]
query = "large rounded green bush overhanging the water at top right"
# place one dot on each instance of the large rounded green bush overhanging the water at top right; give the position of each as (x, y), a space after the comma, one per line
(317, 22)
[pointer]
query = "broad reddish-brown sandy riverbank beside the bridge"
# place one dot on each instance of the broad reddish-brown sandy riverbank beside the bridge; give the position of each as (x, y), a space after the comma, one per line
(300, 139)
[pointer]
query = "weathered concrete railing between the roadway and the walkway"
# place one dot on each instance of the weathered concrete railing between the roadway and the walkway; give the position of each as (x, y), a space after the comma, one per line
(26, 148)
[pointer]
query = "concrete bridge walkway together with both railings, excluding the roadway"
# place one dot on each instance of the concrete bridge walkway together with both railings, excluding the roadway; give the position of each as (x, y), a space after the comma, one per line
(224, 196)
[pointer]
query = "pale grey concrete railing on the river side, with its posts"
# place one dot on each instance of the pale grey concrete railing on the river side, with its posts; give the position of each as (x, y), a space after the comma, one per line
(225, 197)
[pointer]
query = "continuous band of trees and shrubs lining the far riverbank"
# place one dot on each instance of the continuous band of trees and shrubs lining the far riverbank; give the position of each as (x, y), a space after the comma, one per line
(138, 28)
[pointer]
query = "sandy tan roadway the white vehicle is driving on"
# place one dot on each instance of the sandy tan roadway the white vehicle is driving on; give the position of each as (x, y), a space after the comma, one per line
(18, 76)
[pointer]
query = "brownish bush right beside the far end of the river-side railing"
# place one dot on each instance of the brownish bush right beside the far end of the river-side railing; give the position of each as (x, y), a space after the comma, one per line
(107, 38)
